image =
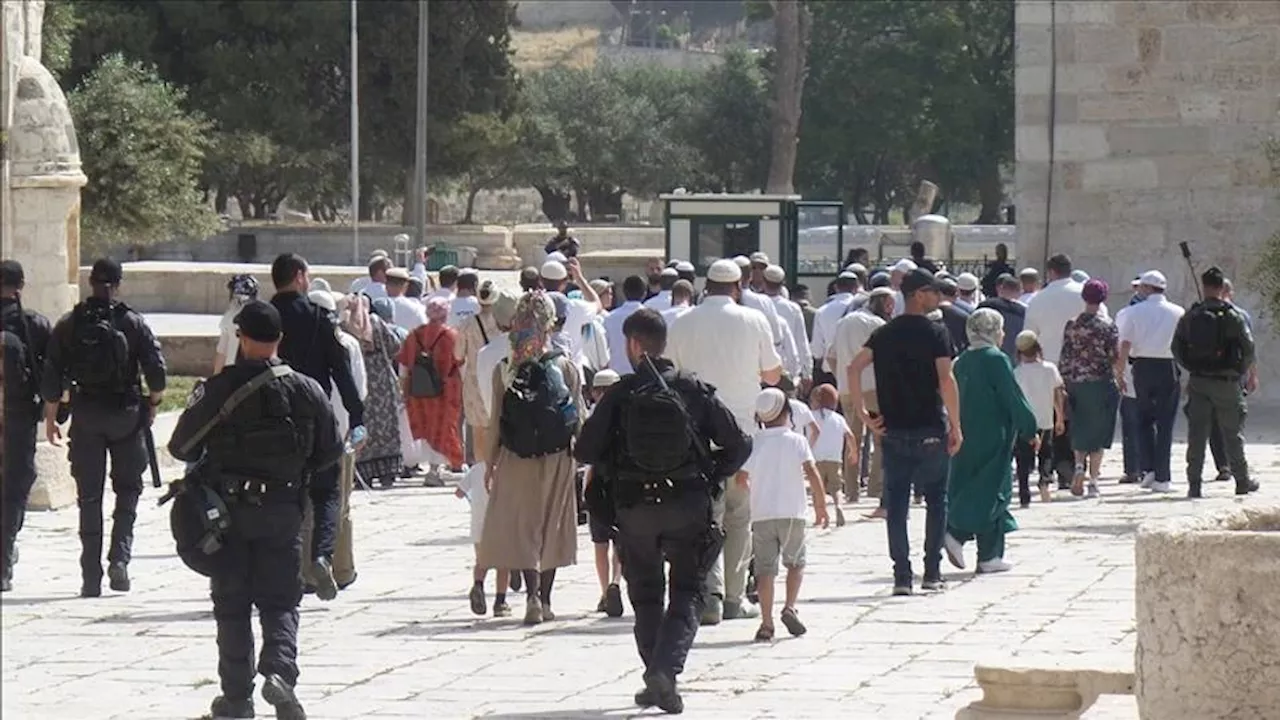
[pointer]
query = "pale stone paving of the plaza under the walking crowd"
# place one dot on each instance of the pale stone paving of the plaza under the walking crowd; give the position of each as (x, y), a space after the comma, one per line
(403, 642)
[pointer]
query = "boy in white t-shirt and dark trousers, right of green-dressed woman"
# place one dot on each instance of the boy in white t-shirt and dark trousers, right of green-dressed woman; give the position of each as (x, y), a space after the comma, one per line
(1043, 385)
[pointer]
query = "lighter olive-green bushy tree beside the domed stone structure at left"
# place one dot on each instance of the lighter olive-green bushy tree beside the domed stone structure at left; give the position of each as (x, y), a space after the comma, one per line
(141, 151)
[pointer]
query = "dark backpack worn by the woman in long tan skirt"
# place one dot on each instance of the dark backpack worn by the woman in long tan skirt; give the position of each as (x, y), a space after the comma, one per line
(538, 416)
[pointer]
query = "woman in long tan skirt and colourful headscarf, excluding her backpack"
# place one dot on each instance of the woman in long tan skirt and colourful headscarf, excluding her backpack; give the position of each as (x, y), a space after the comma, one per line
(532, 521)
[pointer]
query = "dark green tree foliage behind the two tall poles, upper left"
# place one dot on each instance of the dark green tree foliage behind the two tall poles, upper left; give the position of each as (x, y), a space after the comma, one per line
(275, 81)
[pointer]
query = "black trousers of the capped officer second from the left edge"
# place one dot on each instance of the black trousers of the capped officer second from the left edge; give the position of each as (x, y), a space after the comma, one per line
(98, 432)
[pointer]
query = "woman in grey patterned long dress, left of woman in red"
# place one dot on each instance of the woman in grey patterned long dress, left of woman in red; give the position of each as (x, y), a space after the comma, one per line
(381, 455)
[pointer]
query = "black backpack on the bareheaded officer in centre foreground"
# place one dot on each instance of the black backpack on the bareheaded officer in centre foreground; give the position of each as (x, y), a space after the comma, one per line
(659, 431)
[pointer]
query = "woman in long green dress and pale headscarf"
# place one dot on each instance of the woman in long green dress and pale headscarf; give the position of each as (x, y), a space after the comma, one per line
(994, 413)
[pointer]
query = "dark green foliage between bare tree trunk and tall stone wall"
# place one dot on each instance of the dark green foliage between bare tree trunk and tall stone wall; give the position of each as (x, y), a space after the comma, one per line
(899, 92)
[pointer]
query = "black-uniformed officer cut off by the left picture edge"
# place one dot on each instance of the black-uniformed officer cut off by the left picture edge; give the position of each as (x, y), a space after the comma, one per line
(26, 341)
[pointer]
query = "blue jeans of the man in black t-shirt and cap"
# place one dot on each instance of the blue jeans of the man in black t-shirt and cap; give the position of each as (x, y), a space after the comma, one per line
(916, 459)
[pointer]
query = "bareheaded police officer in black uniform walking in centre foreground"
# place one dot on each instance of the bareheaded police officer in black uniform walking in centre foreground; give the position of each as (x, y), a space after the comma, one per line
(669, 518)
